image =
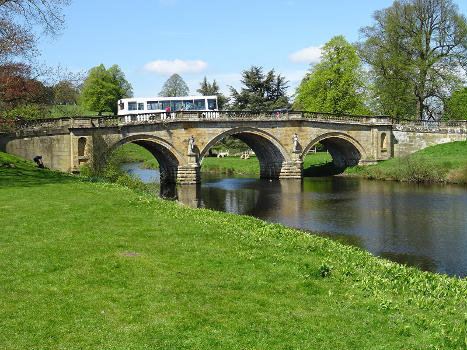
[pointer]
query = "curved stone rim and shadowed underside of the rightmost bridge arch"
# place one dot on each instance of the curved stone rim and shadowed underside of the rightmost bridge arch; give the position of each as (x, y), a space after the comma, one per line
(344, 149)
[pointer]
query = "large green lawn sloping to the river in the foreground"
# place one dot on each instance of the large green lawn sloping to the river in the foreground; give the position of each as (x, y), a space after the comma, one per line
(97, 265)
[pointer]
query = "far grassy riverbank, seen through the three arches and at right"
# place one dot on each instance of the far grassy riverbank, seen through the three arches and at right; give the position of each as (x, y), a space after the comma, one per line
(445, 163)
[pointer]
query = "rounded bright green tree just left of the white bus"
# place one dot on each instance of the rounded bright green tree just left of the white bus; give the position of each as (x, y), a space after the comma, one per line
(103, 88)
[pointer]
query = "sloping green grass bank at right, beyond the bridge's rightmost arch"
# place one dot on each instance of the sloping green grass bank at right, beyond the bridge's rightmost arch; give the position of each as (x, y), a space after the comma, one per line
(441, 163)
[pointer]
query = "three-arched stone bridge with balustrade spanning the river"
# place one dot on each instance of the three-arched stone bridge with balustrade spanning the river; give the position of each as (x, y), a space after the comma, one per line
(181, 140)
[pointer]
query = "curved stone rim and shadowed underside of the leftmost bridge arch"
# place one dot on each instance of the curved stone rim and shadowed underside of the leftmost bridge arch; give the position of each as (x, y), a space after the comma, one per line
(166, 155)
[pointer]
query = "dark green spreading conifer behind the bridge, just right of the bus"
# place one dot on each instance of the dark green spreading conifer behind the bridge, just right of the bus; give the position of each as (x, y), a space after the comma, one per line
(261, 92)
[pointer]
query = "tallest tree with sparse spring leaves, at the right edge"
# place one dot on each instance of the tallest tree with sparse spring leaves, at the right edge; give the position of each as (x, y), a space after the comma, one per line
(415, 51)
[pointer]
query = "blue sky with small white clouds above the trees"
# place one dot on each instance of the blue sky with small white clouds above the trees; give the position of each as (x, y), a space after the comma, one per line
(152, 39)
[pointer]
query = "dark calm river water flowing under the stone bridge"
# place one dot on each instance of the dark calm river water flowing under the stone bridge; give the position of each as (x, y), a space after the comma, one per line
(418, 225)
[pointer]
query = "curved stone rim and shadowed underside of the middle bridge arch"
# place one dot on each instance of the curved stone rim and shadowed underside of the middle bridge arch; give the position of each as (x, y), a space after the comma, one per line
(270, 153)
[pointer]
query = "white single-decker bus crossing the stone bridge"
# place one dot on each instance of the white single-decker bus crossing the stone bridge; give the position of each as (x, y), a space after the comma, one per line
(160, 104)
